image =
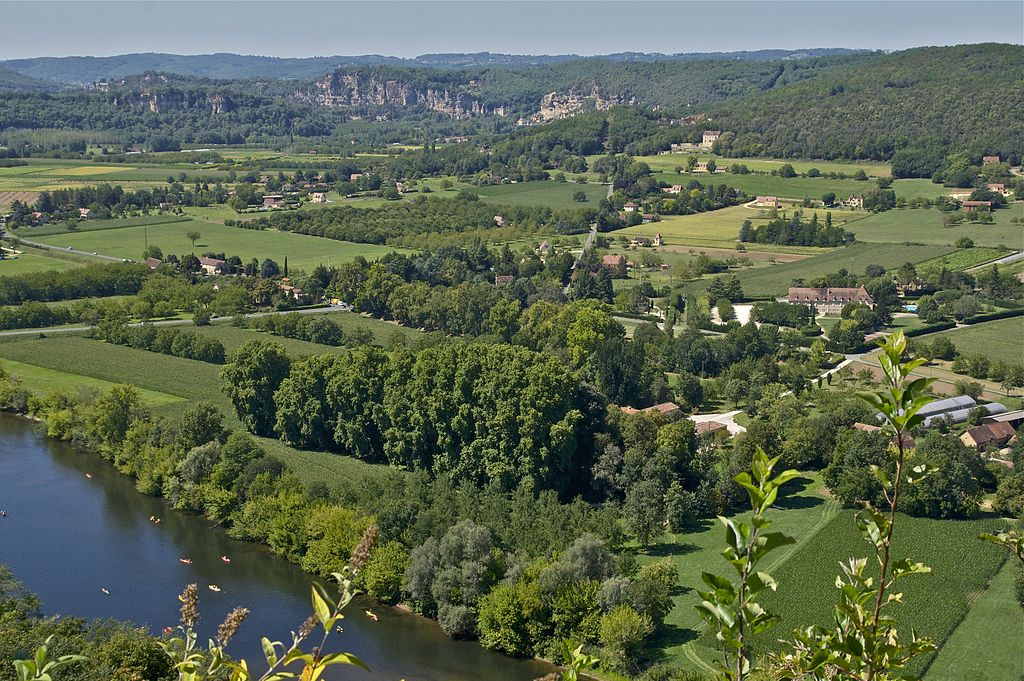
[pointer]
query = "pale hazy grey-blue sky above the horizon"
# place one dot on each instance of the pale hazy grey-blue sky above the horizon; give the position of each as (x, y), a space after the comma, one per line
(293, 28)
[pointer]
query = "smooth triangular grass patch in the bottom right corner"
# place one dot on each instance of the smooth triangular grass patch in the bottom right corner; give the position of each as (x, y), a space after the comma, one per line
(985, 647)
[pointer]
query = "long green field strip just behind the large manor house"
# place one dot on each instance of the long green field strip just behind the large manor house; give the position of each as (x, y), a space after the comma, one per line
(855, 259)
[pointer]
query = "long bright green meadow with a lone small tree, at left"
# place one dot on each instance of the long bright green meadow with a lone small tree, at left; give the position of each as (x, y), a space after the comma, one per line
(304, 252)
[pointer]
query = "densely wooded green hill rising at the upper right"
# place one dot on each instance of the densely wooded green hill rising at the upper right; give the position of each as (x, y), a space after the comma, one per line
(968, 97)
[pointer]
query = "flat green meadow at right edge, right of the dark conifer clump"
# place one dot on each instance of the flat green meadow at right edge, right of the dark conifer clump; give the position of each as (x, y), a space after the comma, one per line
(924, 226)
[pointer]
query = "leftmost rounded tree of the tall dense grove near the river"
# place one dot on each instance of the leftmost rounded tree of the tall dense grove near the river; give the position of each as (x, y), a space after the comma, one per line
(252, 377)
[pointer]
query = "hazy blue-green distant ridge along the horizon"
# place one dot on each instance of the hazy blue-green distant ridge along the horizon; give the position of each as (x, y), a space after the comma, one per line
(87, 70)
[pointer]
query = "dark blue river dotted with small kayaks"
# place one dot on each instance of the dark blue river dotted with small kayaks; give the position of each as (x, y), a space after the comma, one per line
(68, 536)
